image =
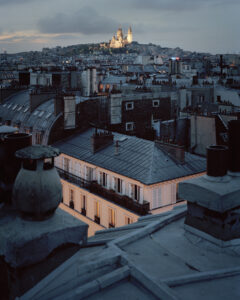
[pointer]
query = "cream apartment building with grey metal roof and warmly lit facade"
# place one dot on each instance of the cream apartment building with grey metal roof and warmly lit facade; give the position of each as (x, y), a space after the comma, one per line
(111, 179)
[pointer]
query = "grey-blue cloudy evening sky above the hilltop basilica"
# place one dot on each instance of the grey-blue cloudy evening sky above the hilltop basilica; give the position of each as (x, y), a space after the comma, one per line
(196, 25)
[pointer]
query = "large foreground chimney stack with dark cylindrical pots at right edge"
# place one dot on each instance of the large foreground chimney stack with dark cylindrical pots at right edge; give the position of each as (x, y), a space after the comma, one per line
(213, 200)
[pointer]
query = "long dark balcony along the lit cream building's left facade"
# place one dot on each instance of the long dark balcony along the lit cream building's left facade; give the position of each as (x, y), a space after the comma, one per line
(95, 188)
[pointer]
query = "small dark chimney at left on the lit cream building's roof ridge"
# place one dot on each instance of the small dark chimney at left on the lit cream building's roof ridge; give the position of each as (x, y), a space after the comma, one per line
(101, 140)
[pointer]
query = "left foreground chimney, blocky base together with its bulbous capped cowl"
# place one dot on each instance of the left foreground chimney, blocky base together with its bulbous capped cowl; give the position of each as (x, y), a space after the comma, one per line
(37, 236)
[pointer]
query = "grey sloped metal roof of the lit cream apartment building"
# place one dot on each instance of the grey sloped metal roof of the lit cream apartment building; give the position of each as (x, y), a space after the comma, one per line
(137, 158)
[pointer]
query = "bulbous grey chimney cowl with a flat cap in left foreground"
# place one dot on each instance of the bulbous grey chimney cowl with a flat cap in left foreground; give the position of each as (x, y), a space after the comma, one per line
(37, 190)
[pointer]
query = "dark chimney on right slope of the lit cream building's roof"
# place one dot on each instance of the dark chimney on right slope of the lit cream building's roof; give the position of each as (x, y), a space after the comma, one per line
(176, 152)
